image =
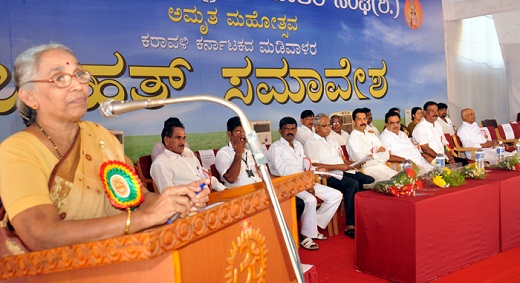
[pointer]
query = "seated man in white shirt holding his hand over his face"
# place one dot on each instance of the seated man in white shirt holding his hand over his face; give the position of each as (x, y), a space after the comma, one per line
(235, 162)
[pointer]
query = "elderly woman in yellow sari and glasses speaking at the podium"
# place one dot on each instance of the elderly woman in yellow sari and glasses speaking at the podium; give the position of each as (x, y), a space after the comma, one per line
(50, 180)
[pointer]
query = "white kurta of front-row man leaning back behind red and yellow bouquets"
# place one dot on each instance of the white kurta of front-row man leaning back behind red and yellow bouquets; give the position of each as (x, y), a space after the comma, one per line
(401, 145)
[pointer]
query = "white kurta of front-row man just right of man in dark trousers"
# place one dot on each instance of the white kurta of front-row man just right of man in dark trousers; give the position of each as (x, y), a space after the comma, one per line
(361, 144)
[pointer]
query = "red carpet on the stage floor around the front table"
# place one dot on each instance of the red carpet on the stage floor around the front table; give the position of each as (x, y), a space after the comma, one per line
(334, 262)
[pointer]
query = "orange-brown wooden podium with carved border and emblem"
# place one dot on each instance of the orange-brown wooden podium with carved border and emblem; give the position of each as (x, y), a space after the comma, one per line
(236, 241)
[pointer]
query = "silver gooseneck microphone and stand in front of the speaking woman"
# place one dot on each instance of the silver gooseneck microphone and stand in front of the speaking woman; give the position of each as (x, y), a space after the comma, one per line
(257, 151)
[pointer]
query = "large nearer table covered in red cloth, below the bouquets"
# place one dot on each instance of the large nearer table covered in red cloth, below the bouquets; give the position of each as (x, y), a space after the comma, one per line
(417, 239)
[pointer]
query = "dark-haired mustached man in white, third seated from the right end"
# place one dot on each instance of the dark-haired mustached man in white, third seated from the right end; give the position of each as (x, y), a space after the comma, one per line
(428, 134)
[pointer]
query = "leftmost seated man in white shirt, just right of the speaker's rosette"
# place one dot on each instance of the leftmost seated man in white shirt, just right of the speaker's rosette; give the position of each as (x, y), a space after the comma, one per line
(177, 164)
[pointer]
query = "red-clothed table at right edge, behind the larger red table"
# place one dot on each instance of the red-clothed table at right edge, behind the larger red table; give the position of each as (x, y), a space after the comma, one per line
(509, 209)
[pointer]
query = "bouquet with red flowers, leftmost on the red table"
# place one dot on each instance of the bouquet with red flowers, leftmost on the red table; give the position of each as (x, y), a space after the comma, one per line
(404, 183)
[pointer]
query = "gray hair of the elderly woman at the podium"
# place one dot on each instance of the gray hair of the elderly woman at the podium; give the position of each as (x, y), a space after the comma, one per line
(25, 68)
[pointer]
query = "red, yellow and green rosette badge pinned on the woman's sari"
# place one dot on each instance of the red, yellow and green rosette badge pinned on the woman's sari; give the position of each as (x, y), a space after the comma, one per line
(121, 184)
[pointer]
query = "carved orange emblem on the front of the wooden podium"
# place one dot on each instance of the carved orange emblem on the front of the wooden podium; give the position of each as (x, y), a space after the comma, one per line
(248, 260)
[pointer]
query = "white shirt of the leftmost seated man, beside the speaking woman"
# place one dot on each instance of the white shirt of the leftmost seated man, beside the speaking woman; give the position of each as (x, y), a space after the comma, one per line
(172, 169)
